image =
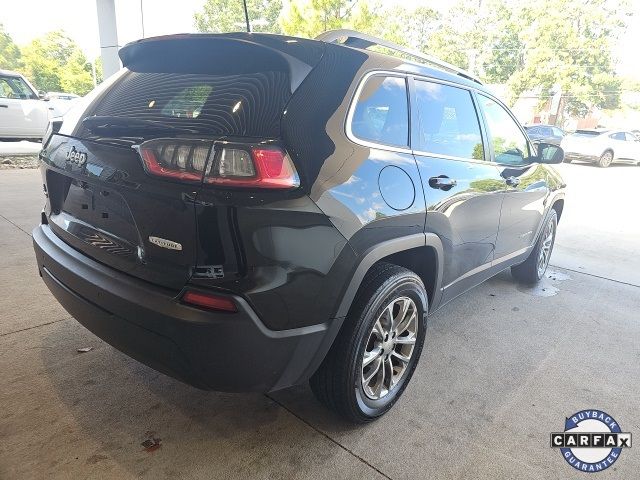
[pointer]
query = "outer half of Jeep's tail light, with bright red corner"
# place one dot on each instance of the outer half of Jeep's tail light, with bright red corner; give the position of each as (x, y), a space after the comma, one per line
(256, 167)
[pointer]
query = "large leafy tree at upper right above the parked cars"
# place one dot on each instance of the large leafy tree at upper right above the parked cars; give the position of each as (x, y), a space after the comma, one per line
(567, 45)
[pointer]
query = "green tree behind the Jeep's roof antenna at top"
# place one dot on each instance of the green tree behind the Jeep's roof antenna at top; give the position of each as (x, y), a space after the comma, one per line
(219, 16)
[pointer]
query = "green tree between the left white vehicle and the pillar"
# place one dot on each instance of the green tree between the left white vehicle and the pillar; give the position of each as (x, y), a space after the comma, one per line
(54, 62)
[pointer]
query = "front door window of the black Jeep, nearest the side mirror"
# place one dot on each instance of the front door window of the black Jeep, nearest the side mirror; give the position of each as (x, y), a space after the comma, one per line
(510, 146)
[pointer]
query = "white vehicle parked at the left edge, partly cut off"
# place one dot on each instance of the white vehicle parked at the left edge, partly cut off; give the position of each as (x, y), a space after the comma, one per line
(23, 114)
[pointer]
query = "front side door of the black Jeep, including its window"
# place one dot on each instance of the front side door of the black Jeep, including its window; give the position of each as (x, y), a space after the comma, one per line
(524, 182)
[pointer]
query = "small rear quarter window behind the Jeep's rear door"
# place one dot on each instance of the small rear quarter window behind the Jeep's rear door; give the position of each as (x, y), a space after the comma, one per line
(381, 114)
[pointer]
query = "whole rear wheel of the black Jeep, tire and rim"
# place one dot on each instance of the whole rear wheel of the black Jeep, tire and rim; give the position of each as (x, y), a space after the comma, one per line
(340, 382)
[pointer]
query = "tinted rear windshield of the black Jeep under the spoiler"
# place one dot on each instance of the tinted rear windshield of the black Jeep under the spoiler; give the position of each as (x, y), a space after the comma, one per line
(248, 104)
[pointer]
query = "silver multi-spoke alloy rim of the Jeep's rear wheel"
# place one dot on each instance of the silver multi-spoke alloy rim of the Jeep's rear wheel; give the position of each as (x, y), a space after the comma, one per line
(389, 348)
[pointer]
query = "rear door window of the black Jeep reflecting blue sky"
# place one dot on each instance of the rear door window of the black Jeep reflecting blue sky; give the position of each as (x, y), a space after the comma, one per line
(447, 121)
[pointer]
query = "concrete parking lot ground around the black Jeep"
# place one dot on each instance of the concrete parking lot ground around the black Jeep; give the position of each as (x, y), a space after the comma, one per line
(502, 367)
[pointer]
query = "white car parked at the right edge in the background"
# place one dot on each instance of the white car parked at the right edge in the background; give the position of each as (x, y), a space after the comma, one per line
(603, 147)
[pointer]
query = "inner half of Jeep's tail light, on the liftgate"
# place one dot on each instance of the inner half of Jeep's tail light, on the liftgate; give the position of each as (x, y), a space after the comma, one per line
(183, 160)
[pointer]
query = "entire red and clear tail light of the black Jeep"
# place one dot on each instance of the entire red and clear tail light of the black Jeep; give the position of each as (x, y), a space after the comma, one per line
(224, 164)
